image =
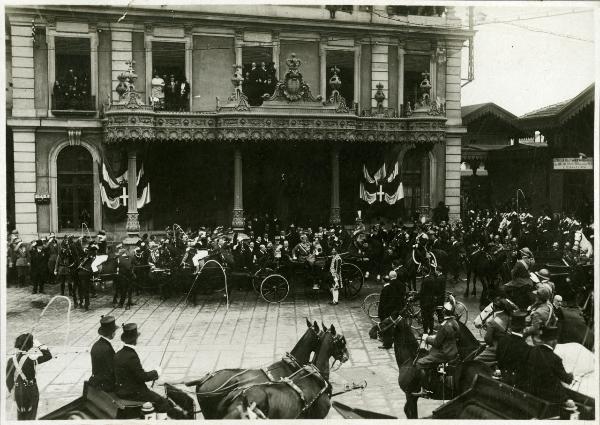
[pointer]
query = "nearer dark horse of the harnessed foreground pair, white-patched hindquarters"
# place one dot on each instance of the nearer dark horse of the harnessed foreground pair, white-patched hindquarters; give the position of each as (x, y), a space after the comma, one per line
(305, 394)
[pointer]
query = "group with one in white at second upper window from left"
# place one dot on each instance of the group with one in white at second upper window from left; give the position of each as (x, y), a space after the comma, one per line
(170, 93)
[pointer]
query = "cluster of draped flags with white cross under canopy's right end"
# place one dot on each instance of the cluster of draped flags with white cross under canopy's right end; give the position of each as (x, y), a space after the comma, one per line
(387, 187)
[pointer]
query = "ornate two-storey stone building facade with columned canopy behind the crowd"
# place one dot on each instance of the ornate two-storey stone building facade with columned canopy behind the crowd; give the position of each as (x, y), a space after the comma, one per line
(72, 112)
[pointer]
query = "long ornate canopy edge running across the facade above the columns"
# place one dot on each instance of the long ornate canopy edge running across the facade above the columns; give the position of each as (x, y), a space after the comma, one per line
(126, 126)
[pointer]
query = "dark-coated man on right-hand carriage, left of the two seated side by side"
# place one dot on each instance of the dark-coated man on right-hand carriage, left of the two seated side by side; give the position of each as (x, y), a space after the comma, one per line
(512, 352)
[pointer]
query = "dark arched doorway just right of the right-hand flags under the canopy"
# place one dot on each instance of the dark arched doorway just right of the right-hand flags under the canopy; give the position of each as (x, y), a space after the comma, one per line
(415, 180)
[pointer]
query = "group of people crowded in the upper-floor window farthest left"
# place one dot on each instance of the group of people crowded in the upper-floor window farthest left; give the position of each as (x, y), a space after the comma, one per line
(72, 91)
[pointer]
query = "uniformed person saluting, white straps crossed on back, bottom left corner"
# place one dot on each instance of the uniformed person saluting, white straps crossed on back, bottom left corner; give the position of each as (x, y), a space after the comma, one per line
(21, 375)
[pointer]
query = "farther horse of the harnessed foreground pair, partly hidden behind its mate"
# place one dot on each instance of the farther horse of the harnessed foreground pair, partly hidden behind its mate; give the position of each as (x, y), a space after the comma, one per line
(212, 389)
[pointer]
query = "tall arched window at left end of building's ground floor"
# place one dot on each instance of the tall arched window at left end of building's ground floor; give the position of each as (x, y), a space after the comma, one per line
(75, 182)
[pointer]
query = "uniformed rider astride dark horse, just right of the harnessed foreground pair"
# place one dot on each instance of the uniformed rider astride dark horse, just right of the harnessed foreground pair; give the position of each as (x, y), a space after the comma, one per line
(444, 345)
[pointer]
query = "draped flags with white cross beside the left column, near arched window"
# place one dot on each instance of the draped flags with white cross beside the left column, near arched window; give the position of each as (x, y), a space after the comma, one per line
(113, 190)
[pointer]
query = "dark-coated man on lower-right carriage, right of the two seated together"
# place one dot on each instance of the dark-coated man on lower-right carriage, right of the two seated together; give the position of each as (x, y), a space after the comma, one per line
(546, 369)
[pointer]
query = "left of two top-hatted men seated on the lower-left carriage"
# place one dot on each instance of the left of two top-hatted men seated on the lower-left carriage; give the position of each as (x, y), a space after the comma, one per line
(103, 353)
